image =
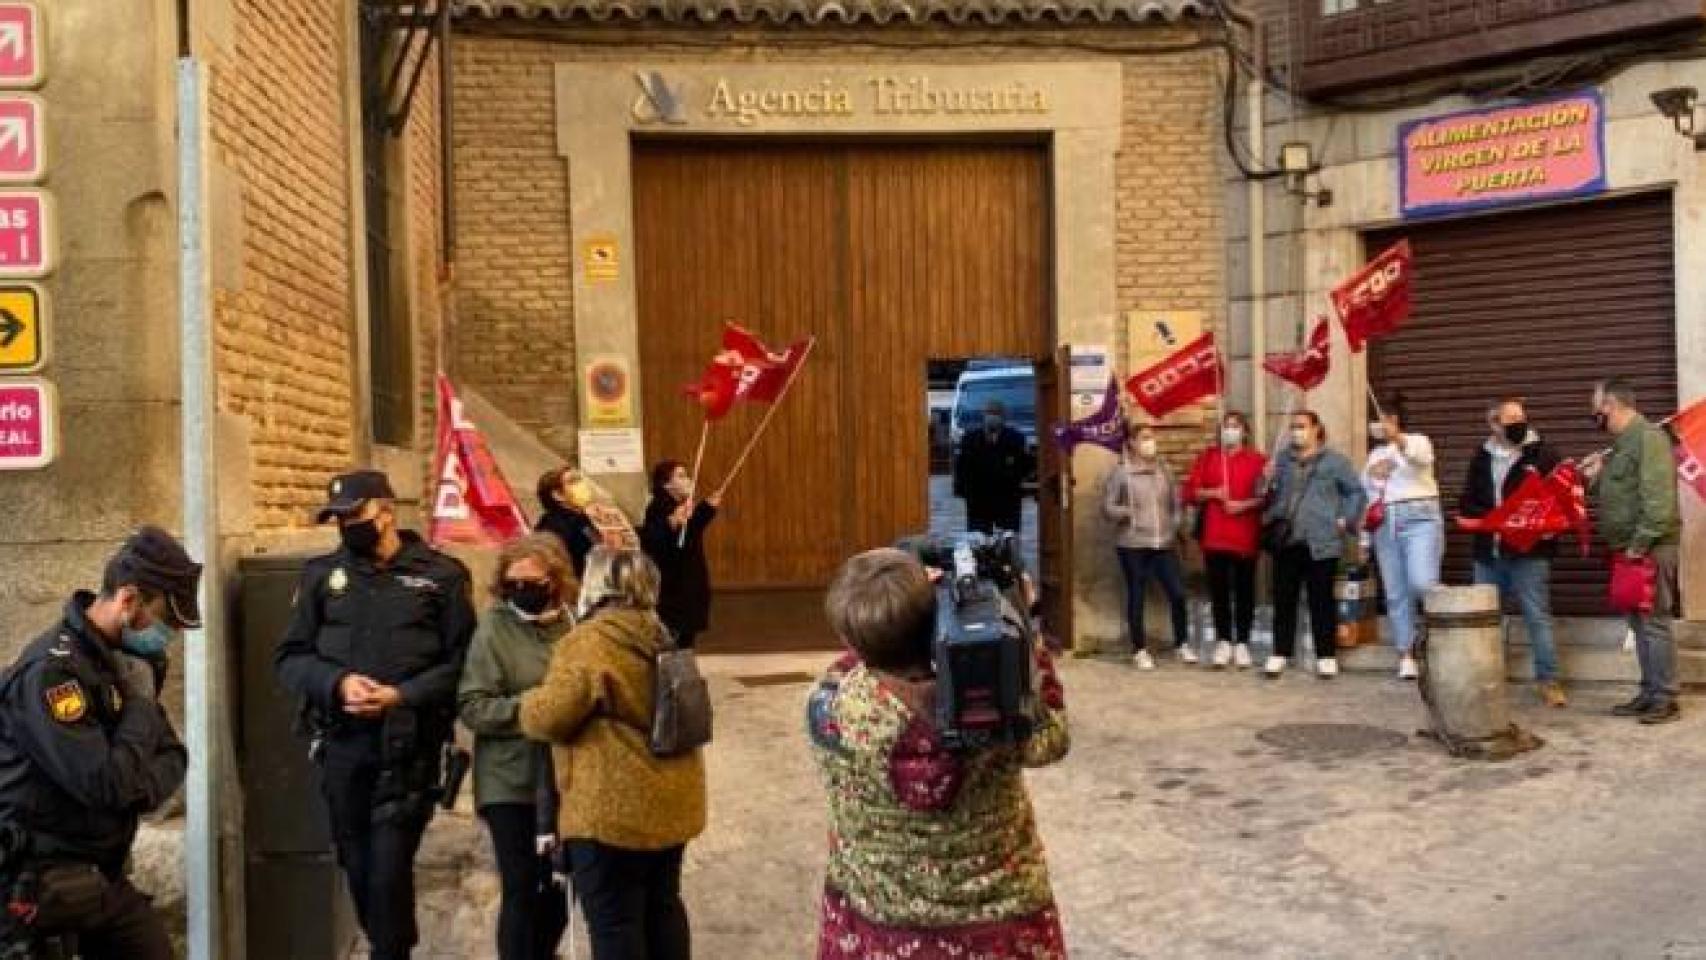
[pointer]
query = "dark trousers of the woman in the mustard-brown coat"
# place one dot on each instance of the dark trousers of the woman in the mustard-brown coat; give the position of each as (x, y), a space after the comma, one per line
(632, 901)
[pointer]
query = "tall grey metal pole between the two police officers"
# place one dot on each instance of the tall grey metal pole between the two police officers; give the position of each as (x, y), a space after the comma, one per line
(202, 649)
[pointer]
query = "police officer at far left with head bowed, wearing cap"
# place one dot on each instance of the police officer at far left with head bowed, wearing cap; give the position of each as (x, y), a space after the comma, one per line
(86, 749)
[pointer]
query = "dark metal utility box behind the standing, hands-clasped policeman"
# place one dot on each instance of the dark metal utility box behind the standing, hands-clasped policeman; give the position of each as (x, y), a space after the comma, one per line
(298, 908)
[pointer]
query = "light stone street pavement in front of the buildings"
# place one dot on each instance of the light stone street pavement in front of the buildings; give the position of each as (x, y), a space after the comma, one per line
(1176, 833)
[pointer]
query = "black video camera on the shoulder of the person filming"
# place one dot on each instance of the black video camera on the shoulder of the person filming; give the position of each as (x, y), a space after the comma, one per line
(984, 647)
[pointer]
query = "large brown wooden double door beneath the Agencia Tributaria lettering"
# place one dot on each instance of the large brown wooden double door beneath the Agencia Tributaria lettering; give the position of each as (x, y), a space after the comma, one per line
(890, 255)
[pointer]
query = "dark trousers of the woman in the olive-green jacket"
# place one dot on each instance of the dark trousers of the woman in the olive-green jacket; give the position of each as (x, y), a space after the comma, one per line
(535, 911)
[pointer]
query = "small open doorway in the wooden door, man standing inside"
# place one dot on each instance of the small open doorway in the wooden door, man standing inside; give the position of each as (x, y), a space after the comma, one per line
(984, 449)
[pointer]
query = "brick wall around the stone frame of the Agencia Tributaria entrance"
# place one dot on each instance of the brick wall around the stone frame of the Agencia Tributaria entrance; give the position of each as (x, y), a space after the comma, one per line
(514, 292)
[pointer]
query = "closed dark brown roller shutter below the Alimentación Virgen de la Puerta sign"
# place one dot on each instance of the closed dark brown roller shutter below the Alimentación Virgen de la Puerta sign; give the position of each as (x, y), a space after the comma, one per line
(1538, 304)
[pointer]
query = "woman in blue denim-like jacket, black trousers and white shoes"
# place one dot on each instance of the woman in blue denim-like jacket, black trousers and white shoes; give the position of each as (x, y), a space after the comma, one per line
(1316, 499)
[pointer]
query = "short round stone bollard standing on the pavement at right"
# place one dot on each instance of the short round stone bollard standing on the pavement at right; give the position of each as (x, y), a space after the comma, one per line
(1463, 674)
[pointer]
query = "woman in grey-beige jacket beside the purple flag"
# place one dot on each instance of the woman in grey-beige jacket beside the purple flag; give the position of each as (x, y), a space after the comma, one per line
(1142, 499)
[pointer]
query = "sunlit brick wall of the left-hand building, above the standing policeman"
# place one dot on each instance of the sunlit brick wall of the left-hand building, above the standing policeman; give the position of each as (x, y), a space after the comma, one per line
(286, 315)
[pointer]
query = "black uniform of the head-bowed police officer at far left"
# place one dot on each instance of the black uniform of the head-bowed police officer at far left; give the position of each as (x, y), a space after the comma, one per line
(79, 765)
